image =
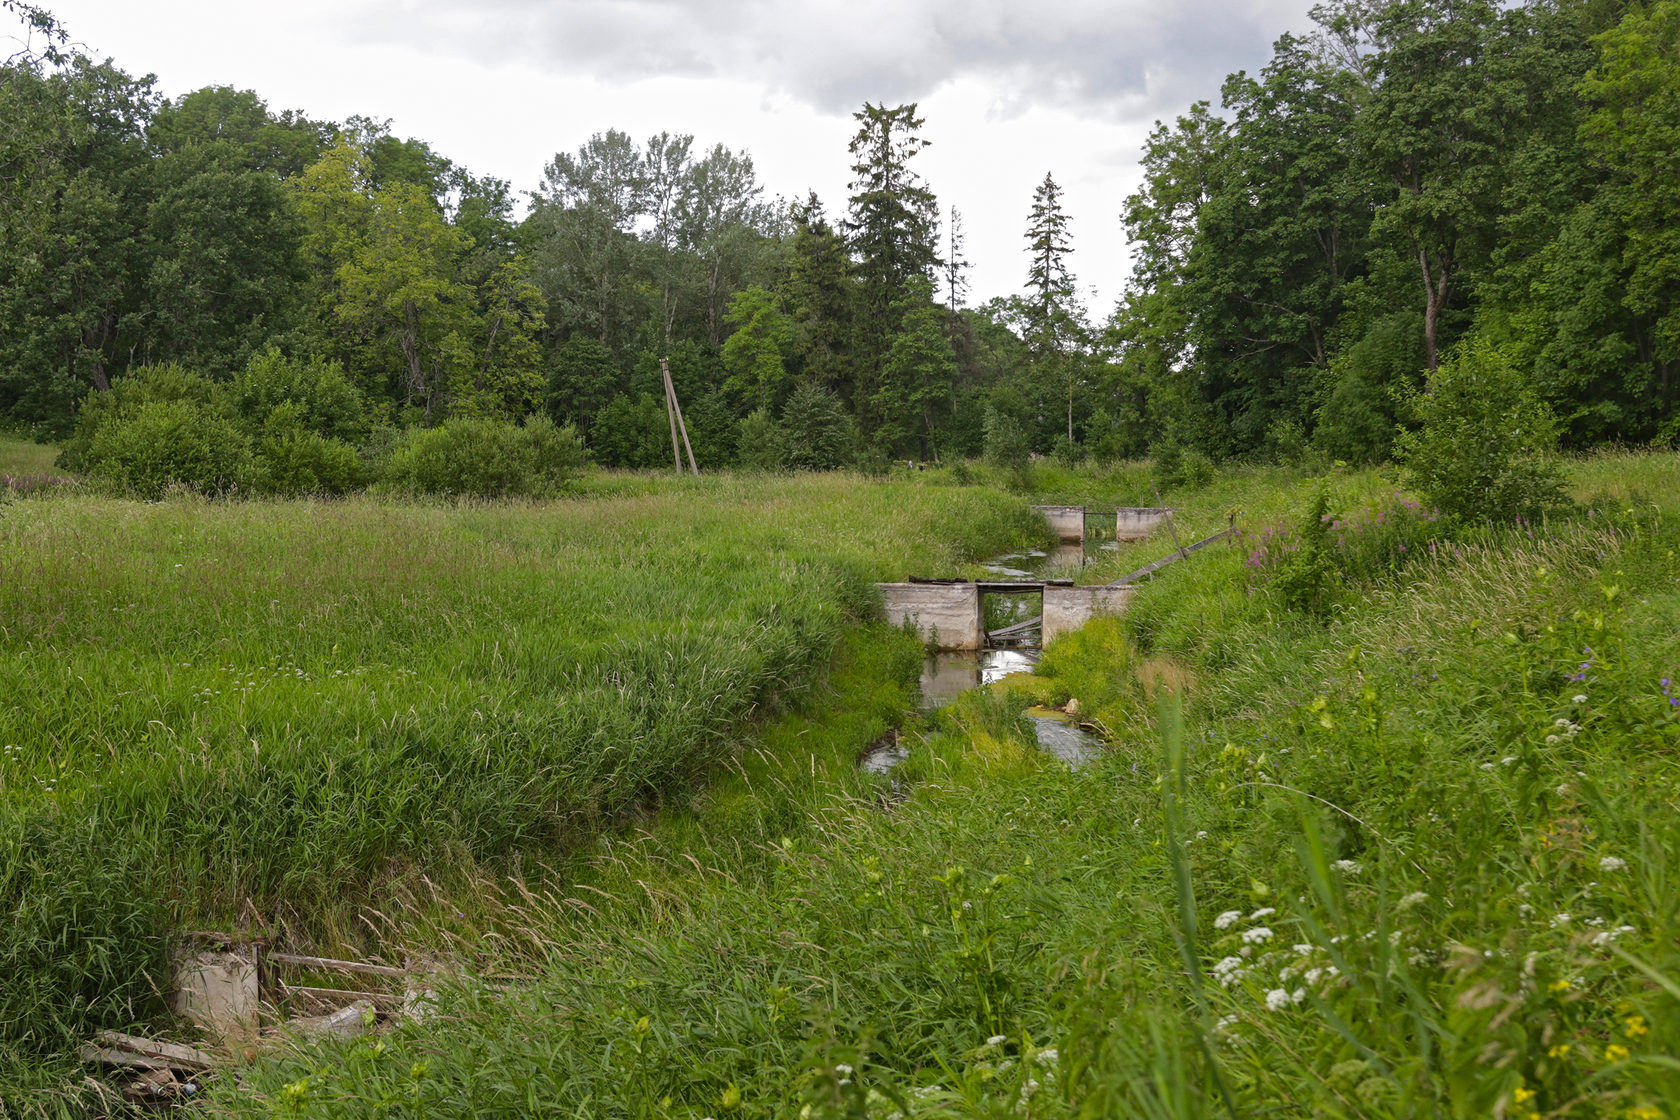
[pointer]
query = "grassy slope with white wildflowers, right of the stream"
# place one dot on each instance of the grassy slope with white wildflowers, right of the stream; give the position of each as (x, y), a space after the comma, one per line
(1397, 844)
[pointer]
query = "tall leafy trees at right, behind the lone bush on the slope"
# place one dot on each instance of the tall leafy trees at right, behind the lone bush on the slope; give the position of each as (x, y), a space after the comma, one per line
(1415, 179)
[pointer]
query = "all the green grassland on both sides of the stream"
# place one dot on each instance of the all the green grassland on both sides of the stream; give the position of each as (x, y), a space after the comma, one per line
(1382, 834)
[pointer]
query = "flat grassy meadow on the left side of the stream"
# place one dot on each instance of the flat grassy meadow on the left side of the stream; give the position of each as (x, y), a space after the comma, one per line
(275, 714)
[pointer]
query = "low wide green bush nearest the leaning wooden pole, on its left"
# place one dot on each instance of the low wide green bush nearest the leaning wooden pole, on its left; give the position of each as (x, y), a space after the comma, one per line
(485, 459)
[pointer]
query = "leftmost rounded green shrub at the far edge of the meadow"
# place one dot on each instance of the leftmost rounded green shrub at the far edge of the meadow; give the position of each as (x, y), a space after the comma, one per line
(171, 444)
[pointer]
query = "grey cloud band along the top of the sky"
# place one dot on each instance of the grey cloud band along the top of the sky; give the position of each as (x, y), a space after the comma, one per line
(1118, 60)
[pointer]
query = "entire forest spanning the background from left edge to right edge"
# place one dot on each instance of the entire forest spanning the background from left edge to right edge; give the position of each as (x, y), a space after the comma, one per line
(206, 271)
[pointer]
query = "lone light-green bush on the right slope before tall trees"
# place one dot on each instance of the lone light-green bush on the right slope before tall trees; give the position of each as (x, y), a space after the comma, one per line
(1486, 441)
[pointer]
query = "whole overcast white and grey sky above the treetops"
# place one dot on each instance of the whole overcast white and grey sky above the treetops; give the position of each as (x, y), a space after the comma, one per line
(1009, 90)
